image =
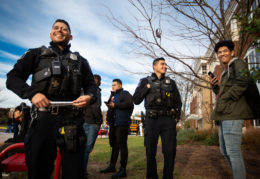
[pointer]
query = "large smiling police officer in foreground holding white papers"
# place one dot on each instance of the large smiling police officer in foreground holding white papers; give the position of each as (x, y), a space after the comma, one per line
(57, 75)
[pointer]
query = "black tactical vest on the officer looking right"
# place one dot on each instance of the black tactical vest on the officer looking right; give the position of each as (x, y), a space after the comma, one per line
(160, 95)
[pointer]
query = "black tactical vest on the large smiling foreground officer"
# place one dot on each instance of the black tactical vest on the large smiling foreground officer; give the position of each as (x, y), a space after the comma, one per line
(56, 76)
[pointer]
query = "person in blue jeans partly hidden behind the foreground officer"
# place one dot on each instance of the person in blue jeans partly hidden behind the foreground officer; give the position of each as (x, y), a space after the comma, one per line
(93, 120)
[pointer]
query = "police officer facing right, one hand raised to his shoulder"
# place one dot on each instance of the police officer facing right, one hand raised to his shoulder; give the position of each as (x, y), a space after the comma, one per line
(163, 106)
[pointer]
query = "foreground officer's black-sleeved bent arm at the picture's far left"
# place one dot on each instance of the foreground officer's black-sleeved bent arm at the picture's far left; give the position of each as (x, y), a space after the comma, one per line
(17, 77)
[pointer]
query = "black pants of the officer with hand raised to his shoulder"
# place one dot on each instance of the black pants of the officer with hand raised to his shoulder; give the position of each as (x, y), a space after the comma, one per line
(165, 127)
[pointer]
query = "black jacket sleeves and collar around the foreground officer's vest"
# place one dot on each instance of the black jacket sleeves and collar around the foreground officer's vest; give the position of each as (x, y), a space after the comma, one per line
(26, 65)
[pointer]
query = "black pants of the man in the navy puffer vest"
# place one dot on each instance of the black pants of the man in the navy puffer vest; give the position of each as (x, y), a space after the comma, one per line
(118, 141)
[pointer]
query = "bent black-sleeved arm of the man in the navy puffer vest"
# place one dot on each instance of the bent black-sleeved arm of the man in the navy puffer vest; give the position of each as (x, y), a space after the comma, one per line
(125, 102)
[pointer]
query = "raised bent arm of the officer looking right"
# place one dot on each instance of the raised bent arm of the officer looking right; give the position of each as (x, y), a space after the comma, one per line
(141, 91)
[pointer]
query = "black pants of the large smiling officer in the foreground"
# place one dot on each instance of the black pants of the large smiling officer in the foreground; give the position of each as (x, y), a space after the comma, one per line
(41, 150)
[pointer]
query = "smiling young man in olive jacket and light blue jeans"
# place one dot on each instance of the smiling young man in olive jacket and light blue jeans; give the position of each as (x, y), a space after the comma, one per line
(231, 107)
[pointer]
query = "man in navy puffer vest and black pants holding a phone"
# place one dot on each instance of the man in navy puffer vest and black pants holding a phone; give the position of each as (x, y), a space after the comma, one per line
(120, 106)
